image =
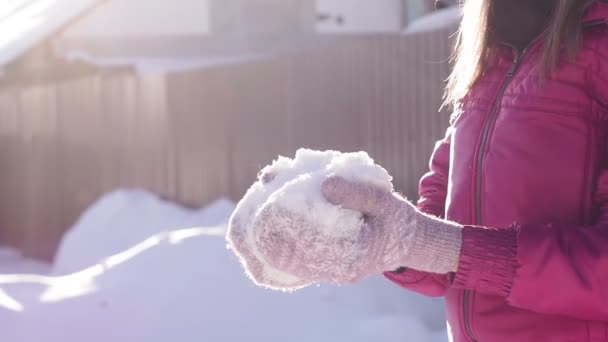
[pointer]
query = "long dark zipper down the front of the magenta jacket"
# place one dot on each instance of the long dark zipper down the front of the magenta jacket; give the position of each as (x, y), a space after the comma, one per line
(480, 156)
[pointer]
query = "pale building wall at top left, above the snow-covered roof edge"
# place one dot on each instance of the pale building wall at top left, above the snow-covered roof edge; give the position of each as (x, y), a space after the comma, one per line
(142, 18)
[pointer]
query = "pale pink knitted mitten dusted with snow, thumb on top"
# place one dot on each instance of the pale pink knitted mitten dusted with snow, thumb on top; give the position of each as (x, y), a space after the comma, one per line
(394, 234)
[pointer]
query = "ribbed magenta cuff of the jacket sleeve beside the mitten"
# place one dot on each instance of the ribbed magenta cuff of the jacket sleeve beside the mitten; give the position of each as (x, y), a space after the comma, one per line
(488, 260)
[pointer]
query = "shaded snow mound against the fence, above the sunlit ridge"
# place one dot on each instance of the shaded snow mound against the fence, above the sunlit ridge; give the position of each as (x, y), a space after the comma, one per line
(108, 227)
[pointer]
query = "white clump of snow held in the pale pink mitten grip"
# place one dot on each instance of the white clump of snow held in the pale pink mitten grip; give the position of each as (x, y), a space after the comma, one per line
(295, 185)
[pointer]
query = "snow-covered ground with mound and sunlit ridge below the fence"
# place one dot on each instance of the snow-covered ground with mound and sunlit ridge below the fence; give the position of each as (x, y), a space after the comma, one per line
(132, 270)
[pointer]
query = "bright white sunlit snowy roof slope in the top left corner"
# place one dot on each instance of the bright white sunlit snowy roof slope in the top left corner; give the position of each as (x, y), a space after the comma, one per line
(25, 23)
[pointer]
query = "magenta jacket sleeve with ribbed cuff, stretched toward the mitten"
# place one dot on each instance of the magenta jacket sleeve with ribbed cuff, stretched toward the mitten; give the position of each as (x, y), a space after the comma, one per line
(553, 269)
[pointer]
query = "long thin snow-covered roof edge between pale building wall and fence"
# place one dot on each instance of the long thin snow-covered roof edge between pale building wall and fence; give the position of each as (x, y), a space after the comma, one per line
(179, 53)
